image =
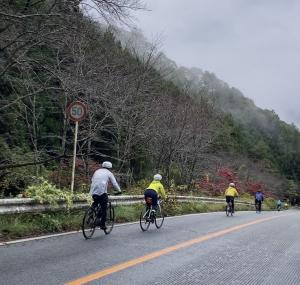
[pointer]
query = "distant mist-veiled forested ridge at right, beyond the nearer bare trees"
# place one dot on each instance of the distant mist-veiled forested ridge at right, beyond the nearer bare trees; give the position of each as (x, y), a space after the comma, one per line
(262, 135)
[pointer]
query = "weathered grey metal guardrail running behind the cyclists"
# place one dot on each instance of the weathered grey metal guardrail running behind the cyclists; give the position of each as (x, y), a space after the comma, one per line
(29, 205)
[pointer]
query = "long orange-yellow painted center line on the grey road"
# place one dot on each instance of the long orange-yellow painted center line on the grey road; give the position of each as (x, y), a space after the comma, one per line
(130, 263)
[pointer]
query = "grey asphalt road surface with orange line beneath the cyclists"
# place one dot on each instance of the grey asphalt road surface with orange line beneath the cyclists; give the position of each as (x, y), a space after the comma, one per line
(211, 248)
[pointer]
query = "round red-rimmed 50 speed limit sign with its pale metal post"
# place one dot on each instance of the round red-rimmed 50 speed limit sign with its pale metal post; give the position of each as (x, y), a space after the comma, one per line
(77, 112)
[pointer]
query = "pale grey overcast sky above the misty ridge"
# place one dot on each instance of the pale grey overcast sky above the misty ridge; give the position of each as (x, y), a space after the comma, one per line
(253, 45)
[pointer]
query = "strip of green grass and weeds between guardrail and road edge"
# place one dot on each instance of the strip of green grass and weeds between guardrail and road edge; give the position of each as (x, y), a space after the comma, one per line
(28, 225)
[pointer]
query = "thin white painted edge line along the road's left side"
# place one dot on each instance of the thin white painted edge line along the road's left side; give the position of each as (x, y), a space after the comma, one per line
(79, 231)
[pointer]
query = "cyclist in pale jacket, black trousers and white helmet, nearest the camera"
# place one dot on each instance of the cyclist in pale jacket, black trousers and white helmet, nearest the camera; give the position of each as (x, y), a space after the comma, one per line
(98, 190)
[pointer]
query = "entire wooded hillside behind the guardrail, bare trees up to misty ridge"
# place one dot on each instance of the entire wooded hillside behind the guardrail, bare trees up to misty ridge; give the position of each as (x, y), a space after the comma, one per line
(195, 130)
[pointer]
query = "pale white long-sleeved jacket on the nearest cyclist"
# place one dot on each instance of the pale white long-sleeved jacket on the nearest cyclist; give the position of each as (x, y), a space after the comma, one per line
(100, 181)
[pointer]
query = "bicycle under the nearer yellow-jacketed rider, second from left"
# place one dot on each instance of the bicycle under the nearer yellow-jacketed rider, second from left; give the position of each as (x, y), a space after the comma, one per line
(149, 215)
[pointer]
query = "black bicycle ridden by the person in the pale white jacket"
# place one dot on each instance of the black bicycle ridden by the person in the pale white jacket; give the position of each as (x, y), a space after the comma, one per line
(90, 220)
